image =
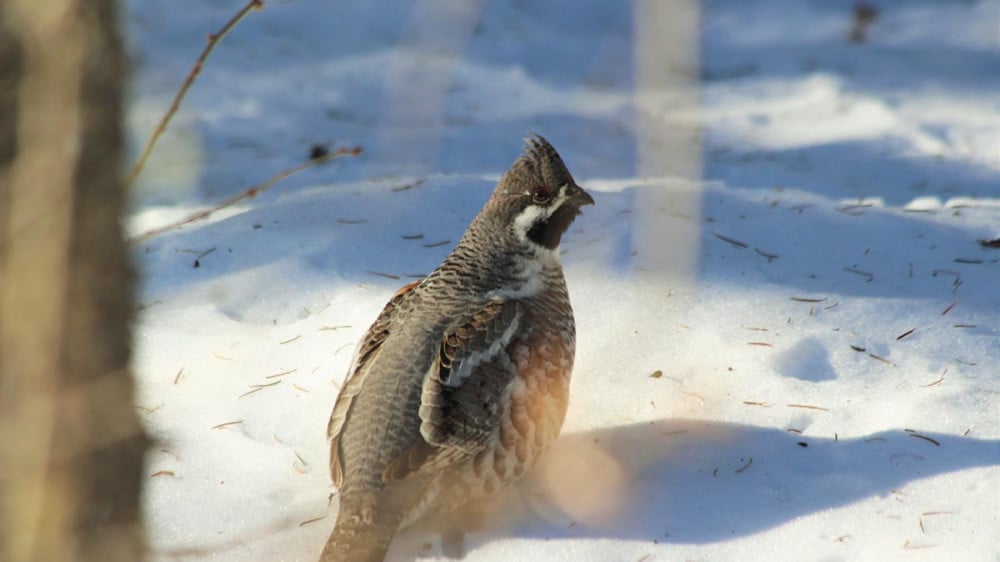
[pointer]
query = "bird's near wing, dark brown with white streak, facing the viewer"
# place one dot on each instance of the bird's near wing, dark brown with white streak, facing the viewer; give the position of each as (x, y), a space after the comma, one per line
(461, 391)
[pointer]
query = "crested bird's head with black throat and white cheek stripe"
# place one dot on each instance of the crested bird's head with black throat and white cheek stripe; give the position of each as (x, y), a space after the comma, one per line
(537, 198)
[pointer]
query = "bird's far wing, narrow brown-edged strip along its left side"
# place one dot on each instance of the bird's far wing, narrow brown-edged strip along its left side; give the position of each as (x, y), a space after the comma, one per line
(367, 349)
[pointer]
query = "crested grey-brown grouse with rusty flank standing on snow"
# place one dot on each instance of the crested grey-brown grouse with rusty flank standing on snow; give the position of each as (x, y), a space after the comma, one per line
(462, 381)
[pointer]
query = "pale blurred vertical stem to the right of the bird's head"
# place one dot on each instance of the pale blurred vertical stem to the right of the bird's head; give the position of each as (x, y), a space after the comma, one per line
(668, 144)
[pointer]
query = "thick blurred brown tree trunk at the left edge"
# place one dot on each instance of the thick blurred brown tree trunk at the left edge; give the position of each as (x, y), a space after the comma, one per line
(71, 447)
